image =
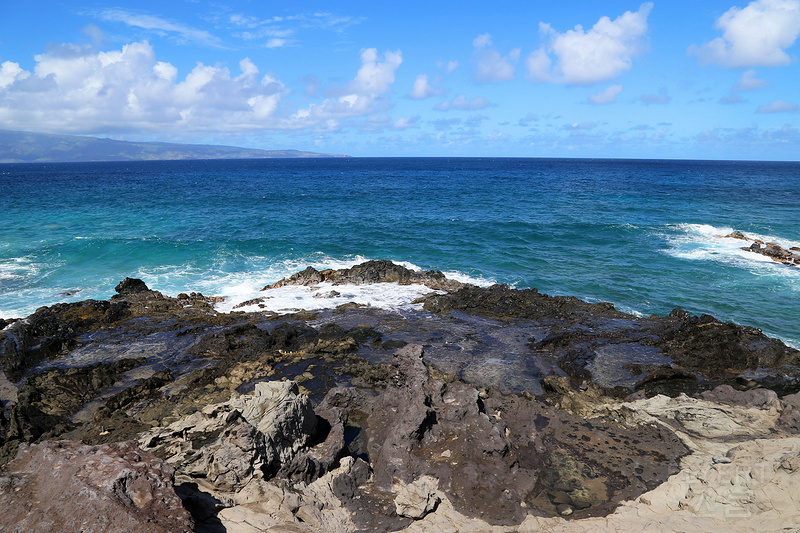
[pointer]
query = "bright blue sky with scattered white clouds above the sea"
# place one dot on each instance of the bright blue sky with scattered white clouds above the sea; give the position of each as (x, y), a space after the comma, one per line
(677, 79)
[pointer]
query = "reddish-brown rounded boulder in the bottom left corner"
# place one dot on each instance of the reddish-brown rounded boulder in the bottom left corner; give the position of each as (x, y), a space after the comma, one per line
(67, 486)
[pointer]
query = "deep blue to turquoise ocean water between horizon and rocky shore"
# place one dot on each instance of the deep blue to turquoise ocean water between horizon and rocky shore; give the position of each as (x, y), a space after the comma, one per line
(640, 234)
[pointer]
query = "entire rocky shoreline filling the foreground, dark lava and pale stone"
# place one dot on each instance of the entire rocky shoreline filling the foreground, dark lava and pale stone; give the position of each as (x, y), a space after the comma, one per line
(491, 409)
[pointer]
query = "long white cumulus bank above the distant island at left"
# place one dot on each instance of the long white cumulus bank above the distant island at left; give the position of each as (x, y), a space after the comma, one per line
(75, 89)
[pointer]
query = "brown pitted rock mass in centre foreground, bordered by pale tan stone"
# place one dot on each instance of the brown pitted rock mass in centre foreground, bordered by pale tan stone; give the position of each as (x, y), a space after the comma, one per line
(497, 456)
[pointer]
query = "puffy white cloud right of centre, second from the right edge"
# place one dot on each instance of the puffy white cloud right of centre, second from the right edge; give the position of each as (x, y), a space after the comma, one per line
(587, 57)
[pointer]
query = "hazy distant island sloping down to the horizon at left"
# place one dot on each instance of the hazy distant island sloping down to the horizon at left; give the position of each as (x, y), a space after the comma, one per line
(26, 147)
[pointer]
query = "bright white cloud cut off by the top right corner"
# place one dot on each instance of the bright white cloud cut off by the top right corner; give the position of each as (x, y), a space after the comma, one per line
(757, 35)
